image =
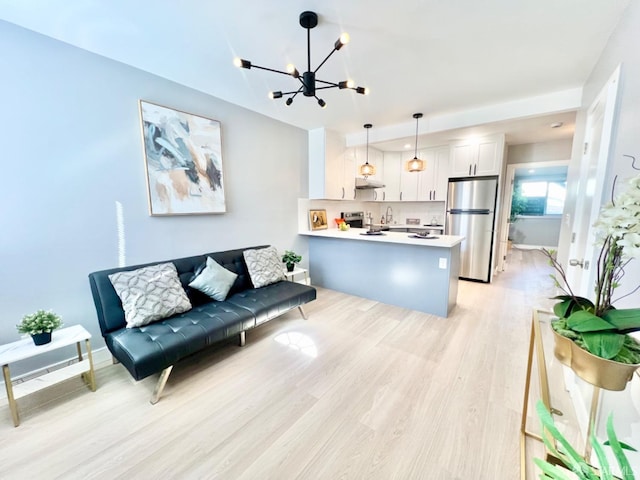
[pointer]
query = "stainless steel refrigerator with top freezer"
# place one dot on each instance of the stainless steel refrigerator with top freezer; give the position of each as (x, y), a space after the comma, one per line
(471, 205)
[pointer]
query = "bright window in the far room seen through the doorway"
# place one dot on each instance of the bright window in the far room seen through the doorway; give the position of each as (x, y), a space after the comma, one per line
(539, 197)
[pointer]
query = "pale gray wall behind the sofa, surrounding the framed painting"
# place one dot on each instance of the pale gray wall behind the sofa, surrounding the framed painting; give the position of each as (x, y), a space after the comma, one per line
(71, 149)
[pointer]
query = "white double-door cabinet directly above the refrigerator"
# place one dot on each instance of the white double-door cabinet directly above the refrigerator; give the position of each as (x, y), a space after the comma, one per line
(474, 158)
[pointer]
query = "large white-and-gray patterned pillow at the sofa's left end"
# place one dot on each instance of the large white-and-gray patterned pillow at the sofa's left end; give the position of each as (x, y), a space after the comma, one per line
(150, 293)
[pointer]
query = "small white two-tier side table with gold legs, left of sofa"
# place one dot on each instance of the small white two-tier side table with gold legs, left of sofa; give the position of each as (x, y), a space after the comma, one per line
(25, 348)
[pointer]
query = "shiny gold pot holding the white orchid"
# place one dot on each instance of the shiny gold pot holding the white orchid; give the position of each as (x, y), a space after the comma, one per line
(597, 371)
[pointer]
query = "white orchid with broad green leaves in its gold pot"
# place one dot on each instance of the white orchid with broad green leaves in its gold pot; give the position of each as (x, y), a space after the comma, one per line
(596, 326)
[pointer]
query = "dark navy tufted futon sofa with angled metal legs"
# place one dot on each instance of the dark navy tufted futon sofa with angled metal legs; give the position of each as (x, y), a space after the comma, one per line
(157, 347)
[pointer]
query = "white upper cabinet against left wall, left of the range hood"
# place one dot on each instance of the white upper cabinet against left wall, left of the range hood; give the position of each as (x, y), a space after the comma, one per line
(332, 167)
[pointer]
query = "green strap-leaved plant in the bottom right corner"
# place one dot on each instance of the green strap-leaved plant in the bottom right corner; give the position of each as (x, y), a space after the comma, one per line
(570, 458)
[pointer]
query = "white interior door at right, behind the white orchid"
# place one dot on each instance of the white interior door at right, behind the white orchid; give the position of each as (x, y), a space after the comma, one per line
(593, 167)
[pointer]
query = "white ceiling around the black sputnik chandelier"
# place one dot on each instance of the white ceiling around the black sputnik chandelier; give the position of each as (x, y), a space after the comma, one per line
(428, 56)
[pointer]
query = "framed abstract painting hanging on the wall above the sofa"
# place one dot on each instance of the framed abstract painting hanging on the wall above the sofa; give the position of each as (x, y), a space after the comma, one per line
(183, 162)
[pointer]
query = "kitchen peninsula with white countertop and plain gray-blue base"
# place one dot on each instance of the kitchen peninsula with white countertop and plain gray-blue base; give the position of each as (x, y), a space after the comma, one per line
(395, 268)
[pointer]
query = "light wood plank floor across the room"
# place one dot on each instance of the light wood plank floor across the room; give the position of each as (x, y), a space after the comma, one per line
(389, 394)
